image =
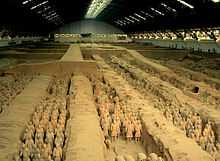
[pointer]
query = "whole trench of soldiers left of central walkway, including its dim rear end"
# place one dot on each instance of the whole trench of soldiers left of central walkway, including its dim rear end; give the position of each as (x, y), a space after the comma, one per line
(45, 136)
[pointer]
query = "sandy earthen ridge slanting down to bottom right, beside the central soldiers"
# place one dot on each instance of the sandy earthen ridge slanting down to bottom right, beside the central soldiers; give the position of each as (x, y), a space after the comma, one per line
(169, 140)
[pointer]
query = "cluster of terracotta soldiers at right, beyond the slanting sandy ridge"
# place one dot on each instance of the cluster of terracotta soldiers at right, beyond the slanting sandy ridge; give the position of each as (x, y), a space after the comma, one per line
(193, 126)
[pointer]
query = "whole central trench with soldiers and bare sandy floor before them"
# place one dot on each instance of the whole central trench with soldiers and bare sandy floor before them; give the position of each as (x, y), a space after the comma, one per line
(121, 144)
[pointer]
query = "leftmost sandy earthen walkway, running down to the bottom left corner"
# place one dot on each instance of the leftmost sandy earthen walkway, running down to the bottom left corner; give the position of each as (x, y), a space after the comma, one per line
(13, 121)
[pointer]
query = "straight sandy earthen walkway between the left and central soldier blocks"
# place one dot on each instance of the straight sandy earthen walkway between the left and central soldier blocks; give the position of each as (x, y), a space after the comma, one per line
(85, 141)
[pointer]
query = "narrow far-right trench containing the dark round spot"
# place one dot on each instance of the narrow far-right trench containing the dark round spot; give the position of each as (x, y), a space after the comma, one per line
(206, 94)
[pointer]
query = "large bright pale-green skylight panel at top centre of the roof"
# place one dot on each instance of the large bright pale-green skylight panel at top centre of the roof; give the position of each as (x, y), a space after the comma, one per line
(96, 7)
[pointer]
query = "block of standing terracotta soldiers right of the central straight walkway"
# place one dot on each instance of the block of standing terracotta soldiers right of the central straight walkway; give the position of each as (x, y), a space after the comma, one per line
(116, 121)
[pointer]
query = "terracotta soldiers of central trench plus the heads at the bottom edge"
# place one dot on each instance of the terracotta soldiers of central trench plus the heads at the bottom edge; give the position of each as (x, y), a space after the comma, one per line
(117, 121)
